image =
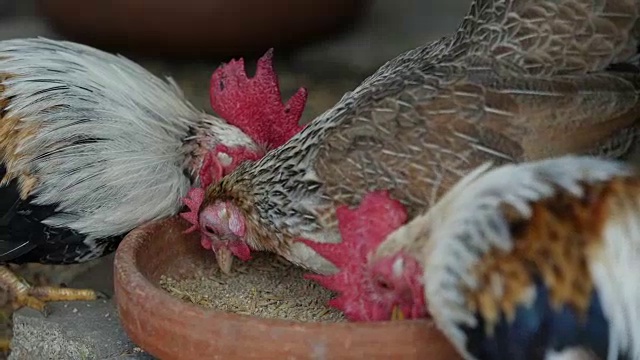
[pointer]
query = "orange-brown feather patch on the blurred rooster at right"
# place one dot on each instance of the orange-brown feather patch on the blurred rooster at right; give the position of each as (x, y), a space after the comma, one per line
(556, 243)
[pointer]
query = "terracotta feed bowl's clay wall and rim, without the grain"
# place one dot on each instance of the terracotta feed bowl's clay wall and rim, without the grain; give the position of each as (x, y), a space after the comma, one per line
(169, 328)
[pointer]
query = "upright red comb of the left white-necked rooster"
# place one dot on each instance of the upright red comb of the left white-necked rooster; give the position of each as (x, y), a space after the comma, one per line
(254, 105)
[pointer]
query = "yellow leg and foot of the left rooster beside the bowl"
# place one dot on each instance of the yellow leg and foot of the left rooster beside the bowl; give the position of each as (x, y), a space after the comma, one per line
(36, 297)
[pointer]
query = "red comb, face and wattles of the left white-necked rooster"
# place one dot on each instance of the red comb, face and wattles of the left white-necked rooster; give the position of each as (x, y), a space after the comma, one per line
(253, 105)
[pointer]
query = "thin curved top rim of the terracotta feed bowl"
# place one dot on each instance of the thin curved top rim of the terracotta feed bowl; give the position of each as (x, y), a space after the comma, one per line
(136, 279)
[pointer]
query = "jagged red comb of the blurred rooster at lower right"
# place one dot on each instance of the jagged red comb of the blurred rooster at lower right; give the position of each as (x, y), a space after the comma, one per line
(362, 230)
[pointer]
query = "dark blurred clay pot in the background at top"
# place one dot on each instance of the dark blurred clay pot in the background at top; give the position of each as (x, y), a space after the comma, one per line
(196, 27)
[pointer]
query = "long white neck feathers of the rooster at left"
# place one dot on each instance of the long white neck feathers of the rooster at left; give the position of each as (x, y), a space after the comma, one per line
(133, 173)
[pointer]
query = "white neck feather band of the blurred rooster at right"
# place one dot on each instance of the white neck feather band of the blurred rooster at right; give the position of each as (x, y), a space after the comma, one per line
(468, 220)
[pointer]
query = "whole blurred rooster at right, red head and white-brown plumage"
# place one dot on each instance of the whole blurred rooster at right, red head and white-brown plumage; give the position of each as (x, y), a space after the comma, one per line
(527, 261)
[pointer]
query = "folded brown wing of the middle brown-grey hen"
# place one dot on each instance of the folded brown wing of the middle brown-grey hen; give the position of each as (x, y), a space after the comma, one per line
(419, 145)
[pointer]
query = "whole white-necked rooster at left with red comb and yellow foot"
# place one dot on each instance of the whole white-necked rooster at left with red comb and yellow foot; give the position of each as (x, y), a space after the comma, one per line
(92, 146)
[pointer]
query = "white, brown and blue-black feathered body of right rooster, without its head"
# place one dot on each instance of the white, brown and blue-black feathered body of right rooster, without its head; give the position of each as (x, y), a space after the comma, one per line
(539, 261)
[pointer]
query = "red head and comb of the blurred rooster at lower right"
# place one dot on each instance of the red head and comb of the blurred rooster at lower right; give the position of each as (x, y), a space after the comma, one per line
(367, 287)
